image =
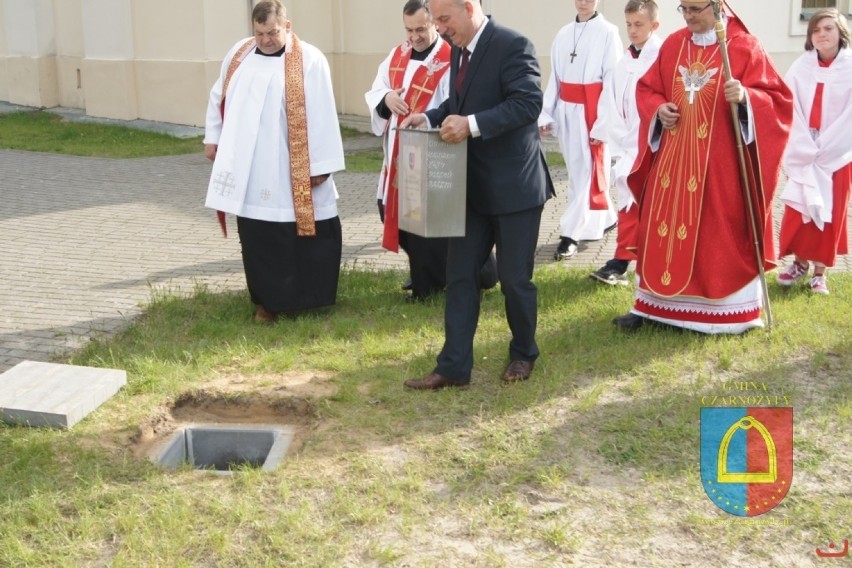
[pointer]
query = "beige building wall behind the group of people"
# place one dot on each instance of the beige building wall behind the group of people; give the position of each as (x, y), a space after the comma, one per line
(156, 59)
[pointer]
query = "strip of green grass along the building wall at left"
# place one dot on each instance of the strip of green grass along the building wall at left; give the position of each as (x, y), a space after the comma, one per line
(40, 131)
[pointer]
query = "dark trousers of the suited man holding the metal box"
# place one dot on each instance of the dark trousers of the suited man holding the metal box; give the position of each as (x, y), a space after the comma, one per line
(515, 236)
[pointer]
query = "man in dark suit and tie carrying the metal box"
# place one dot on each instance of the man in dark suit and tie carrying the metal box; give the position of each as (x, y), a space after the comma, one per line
(494, 104)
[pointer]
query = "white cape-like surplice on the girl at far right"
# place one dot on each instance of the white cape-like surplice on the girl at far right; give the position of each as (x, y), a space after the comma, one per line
(812, 158)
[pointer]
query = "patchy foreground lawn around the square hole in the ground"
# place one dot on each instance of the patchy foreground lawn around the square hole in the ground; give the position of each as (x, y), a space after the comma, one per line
(599, 451)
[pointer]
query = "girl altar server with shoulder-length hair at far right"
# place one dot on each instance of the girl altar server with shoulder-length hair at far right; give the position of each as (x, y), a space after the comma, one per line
(819, 155)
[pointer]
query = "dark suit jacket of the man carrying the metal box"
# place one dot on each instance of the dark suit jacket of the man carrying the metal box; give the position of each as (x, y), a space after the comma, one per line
(506, 171)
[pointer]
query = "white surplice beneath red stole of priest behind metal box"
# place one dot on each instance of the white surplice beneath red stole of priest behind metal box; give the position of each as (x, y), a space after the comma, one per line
(381, 87)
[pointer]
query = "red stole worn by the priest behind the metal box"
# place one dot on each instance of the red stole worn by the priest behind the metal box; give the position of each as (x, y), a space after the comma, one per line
(418, 94)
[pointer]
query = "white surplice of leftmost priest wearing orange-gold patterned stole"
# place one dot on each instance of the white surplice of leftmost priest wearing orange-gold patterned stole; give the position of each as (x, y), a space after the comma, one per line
(251, 173)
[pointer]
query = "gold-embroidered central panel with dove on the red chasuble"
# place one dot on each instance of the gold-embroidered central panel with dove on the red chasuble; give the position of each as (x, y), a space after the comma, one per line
(678, 180)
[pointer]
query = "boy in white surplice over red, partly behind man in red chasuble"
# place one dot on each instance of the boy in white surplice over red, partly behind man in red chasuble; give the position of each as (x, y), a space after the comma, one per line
(619, 123)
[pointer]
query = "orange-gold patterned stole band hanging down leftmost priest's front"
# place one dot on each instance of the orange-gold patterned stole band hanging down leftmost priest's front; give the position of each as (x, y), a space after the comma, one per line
(297, 140)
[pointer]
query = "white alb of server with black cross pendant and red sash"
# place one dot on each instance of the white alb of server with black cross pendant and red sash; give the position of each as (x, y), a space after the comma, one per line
(598, 47)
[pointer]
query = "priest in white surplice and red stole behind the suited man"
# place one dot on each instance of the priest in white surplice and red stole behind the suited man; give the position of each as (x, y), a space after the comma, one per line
(413, 78)
